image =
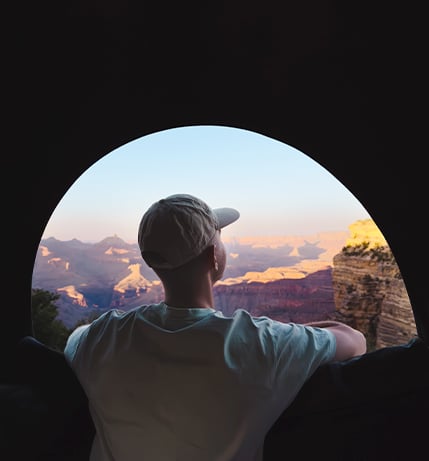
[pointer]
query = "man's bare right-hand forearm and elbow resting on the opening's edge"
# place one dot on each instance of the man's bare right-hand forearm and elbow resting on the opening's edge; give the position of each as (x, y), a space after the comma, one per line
(350, 342)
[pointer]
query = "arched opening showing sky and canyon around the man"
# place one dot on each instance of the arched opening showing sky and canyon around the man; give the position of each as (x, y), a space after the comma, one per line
(293, 255)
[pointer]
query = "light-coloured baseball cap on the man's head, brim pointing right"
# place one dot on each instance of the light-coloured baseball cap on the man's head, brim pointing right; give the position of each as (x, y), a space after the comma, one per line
(178, 228)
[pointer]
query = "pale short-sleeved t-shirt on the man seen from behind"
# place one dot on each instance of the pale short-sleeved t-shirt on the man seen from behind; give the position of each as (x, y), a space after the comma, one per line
(175, 384)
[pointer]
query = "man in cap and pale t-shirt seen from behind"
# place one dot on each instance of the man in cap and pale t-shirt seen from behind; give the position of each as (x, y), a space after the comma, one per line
(178, 380)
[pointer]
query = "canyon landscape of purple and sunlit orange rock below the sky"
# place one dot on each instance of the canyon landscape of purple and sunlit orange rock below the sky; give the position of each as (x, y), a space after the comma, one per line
(348, 276)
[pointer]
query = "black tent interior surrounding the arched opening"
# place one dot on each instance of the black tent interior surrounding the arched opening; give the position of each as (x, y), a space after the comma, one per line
(342, 82)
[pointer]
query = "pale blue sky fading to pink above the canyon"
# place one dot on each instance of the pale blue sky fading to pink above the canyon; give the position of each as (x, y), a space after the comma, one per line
(279, 190)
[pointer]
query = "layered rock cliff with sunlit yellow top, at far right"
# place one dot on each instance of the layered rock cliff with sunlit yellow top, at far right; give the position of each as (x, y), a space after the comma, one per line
(369, 292)
